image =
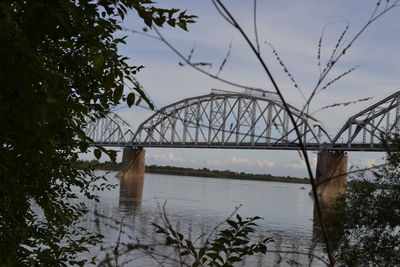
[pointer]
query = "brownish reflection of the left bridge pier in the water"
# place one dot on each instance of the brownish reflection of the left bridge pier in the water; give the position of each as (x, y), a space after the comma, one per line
(131, 192)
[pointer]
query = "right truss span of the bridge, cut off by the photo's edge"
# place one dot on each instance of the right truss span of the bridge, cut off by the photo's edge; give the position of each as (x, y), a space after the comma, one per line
(366, 130)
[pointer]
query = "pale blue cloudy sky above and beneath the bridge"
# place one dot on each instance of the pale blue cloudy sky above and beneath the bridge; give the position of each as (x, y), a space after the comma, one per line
(294, 29)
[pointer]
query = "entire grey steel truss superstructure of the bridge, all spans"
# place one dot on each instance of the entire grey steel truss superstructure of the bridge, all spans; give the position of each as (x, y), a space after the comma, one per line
(249, 120)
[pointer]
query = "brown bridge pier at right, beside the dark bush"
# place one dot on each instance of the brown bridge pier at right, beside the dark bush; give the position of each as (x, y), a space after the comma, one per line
(331, 176)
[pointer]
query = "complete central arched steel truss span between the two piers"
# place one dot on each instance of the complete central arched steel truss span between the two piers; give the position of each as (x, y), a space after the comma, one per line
(229, 120)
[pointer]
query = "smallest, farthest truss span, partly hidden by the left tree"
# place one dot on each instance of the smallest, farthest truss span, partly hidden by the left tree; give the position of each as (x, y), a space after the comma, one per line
(111, 130)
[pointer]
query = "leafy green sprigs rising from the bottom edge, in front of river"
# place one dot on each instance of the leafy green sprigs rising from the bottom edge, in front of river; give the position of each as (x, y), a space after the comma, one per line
(228, 246)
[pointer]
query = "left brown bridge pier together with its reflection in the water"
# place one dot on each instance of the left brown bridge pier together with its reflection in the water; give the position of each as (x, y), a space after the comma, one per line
(132, 178)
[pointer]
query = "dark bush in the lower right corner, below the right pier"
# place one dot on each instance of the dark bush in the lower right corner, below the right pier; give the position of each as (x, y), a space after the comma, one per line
(369, 233)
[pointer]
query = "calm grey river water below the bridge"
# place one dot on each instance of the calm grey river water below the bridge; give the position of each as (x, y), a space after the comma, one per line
(194, 206)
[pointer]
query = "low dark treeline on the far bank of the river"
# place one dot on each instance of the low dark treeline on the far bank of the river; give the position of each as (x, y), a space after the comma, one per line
(113, 166)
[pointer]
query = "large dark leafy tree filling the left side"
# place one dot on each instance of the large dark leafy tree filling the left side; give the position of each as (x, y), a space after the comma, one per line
(59, 66)
